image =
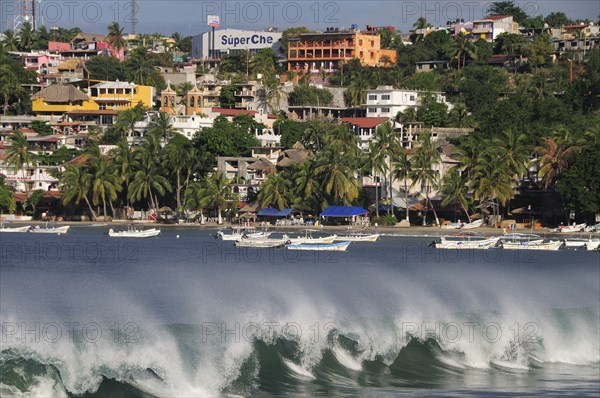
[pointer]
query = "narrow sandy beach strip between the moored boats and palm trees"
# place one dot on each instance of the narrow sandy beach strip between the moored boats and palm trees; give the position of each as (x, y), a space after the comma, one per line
(340, 229)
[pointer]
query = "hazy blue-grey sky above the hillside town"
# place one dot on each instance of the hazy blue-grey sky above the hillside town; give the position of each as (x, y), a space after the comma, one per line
(189, 16)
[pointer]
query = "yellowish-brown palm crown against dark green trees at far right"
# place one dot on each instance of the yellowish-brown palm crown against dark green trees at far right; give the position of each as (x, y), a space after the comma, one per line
(554, 160)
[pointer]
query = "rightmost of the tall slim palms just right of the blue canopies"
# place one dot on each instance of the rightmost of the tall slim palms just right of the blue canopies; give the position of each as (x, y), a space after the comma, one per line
(424, 172)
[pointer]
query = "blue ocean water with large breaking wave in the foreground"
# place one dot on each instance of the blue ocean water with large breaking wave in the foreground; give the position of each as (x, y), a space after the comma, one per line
(85, 315)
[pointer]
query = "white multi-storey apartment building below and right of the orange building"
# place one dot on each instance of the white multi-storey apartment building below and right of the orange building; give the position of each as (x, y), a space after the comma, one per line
(386, 101)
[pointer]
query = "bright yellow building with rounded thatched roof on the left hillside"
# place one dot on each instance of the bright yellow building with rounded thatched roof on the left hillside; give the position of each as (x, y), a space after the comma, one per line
(59, 99)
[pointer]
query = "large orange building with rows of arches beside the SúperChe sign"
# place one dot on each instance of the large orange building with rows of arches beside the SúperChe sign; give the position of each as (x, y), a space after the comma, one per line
(328, 51)
